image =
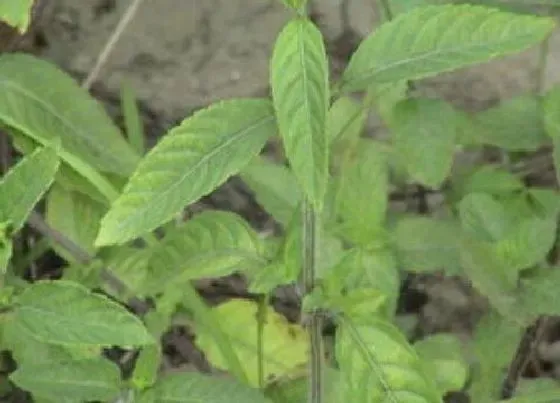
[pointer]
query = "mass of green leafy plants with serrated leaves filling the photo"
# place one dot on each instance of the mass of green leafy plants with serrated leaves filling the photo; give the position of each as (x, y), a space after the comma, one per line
(105, 199)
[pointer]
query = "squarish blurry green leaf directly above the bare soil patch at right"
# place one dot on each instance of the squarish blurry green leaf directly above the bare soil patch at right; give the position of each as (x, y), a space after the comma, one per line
(427, 244)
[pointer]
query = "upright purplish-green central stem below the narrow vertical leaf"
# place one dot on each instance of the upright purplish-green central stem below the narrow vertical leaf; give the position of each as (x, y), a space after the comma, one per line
(314, 322)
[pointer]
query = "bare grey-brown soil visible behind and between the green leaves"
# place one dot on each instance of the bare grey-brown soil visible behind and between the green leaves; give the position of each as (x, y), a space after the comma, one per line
(183, 55)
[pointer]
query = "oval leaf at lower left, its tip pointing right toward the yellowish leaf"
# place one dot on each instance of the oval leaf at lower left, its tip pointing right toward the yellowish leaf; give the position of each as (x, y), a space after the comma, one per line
(65, 313)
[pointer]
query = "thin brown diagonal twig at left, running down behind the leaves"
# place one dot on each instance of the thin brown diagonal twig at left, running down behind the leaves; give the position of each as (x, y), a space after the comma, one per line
(36, 222)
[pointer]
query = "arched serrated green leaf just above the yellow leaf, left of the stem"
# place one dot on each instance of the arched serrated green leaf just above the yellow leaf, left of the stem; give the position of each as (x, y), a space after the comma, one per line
(212, 244)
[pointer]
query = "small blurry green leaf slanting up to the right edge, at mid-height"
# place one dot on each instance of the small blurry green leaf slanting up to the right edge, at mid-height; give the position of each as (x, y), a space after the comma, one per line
(528, 243)
